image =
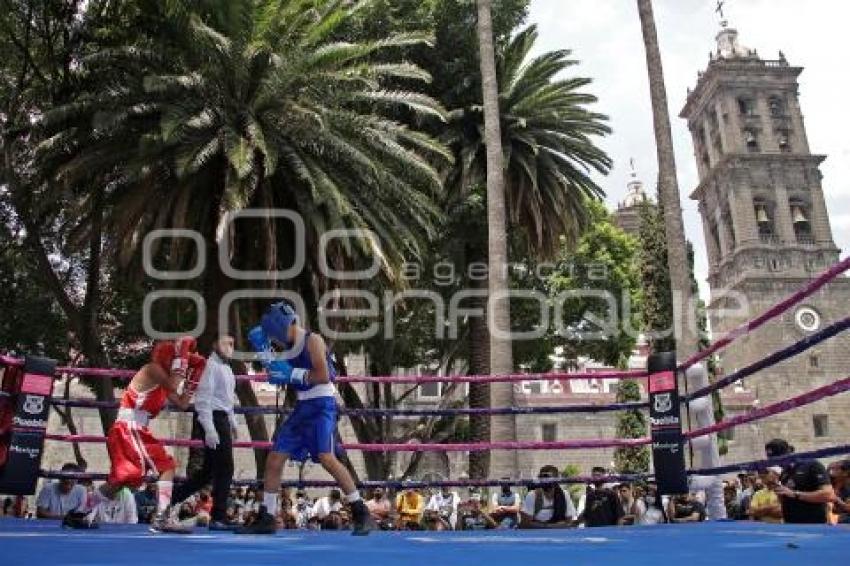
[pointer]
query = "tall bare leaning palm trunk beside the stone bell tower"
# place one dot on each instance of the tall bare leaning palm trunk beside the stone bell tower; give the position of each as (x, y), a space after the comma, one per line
(668, 185)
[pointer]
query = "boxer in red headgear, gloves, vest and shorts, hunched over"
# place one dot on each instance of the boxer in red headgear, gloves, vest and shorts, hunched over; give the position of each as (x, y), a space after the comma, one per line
(133, 450)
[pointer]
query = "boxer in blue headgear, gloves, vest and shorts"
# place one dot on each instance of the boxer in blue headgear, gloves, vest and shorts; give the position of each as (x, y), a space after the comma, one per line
(309, 431)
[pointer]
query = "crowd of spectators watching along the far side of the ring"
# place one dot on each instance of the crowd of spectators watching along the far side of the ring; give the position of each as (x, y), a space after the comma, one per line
(803, 493)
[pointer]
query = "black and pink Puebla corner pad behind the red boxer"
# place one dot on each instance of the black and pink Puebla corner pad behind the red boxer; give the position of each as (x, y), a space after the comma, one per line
(19, 475)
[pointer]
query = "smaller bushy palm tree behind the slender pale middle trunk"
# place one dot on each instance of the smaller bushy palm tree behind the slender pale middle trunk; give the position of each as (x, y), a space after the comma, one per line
(546, 136)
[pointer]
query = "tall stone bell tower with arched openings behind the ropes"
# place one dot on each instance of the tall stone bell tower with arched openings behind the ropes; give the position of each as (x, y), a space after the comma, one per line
(767, 232)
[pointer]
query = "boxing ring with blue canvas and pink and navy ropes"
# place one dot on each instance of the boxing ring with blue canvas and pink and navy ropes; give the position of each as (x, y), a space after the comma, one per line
(703, 543)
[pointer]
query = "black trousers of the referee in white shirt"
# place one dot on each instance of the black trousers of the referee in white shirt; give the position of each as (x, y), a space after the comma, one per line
(217, 468)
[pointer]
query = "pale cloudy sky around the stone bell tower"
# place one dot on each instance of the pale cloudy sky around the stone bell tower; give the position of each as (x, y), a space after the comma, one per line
(605, 36)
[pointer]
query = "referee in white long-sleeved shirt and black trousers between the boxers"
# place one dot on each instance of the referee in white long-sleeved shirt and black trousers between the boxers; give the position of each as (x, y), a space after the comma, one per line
(216, 424)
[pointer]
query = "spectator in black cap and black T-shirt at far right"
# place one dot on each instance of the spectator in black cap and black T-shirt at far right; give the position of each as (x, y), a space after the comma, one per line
(804, 489)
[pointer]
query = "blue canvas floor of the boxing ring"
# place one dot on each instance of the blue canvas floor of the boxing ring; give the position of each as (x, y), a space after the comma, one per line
(42, 542)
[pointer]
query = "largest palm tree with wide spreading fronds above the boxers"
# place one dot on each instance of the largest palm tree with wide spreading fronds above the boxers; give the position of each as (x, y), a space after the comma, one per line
(245, 103)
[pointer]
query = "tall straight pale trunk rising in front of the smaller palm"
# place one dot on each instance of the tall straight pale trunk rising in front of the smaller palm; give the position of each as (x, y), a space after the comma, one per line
(498, 311)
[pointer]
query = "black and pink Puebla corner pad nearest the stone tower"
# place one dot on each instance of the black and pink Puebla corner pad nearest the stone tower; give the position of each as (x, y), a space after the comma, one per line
(668, 455)
